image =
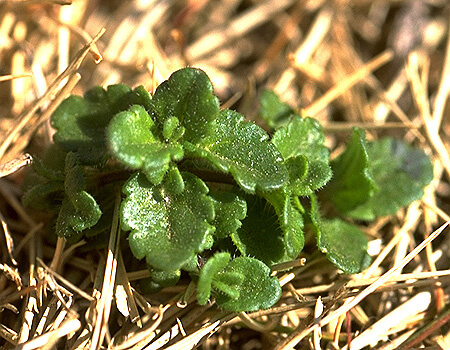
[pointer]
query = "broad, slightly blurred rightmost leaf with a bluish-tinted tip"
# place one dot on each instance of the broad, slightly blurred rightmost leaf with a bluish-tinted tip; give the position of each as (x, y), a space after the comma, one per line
(400, 173)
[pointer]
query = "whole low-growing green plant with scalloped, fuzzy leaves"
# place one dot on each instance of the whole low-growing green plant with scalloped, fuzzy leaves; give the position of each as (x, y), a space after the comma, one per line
(209, 193)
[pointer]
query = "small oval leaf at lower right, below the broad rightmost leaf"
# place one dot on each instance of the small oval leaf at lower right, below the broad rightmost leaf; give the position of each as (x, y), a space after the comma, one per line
(344, 244)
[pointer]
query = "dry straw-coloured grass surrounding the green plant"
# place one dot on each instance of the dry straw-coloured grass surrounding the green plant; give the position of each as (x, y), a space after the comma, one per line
(382, 64)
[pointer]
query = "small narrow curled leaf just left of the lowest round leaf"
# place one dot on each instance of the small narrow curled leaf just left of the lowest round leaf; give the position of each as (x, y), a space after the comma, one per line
(212, 267)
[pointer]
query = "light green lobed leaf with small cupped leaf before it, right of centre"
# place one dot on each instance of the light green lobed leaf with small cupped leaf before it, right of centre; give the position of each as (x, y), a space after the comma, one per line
(301, 143)
